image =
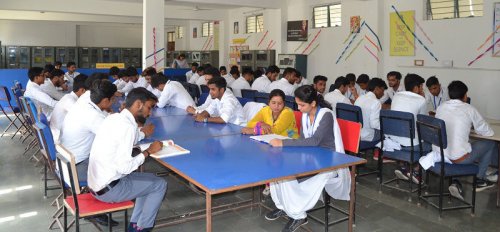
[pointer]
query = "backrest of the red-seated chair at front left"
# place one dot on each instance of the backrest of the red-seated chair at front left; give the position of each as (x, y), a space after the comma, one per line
(67, 169)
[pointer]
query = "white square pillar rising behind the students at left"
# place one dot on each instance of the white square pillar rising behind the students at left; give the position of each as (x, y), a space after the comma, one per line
(153, 34)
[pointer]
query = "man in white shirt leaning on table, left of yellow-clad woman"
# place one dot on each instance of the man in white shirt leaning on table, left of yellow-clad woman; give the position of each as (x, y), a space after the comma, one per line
(224, 107)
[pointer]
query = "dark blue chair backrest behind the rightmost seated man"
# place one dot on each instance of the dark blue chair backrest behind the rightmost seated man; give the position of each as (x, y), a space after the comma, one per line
(432, 130)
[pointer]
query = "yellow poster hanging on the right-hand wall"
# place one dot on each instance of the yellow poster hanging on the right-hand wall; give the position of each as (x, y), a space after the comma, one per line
(402, 40)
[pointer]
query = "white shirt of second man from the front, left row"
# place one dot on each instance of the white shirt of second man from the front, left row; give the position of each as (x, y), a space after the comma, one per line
(79, 129)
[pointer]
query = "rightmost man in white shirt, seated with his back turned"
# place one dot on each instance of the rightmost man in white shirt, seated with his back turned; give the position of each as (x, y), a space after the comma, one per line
(460, 117)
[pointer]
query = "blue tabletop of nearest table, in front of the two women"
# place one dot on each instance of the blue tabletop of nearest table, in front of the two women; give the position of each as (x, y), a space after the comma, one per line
(220, 163)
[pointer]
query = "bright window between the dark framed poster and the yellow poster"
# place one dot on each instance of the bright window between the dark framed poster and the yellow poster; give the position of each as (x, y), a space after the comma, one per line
(327, 16)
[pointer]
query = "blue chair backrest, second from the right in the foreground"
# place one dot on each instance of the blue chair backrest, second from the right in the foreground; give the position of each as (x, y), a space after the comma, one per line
(397, 123)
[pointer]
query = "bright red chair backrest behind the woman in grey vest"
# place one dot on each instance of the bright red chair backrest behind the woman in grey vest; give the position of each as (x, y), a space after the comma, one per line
(351, 135)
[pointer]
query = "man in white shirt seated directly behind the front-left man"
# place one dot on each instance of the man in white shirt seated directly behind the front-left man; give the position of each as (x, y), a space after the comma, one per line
(83, 121)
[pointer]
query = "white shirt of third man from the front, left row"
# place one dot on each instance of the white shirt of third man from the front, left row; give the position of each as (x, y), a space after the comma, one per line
(60, 110)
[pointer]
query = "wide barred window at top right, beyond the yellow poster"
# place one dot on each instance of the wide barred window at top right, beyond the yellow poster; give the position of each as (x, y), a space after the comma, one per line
(448, 9)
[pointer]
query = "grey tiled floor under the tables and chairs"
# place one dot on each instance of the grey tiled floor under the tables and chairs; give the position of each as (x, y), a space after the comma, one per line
(23, 207)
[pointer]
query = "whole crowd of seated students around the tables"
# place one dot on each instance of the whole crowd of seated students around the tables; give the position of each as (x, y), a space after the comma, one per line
(84, 123)
